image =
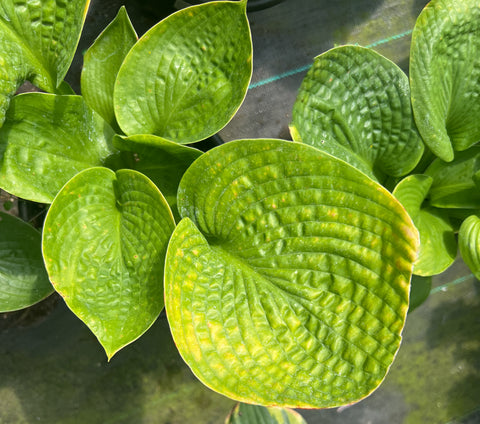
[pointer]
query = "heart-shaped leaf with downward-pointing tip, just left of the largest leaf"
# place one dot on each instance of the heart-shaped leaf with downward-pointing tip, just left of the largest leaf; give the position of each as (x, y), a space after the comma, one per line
(104, 244)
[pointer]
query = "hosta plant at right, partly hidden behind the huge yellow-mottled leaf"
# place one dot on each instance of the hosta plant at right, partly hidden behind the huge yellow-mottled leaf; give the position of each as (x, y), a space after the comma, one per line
(417, 136)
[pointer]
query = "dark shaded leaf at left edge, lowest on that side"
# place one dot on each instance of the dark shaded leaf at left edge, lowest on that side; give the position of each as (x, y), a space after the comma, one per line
(23, 279)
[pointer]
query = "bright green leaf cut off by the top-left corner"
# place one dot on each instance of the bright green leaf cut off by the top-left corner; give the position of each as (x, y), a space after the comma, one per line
(37, 42)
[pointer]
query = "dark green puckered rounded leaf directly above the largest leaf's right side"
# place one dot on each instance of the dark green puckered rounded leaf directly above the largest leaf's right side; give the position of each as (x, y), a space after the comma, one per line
(355, 104)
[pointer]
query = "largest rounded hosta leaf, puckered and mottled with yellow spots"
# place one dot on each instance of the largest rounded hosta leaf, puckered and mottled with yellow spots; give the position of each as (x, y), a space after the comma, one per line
(287, 280)
